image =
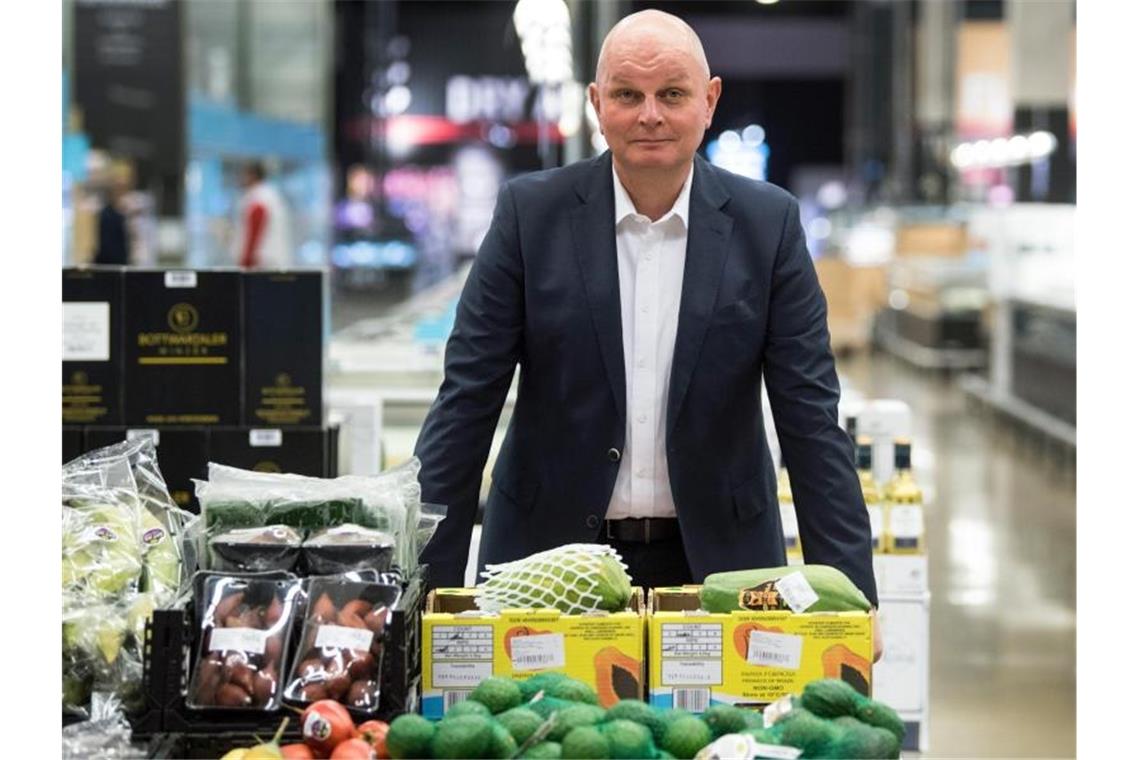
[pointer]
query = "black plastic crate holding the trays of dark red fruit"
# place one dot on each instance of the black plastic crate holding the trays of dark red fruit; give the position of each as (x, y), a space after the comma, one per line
(173, 730)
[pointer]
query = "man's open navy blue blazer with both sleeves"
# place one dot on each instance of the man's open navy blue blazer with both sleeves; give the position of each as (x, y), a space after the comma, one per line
(543, 296)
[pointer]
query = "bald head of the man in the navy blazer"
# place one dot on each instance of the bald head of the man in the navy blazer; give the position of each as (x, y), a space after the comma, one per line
(653, 93)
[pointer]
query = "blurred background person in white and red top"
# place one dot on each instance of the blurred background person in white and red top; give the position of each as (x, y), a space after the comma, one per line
(264, 223)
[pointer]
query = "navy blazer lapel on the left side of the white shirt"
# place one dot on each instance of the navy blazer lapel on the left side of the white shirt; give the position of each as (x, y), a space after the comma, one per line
(596, 244)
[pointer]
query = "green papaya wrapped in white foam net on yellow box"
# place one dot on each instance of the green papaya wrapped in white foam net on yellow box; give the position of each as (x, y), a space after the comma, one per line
(574, 578)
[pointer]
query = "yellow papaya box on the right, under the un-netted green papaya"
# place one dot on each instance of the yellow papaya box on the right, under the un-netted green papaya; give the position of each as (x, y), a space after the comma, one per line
(697, 659)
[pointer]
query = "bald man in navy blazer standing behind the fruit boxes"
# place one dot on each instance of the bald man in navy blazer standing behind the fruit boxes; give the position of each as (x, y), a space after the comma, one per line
(644, 295)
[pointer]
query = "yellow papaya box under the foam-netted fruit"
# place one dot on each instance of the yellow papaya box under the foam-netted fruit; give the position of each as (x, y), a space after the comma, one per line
(463, 645)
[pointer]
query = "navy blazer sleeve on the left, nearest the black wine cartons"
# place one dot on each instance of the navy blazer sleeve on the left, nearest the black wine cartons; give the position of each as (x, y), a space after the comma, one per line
(479, 364)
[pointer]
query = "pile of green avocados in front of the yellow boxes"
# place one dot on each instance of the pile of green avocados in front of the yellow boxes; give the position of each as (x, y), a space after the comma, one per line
(555, 716)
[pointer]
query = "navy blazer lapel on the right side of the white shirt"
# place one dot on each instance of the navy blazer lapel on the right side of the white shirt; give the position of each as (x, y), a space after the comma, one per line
(710, 232)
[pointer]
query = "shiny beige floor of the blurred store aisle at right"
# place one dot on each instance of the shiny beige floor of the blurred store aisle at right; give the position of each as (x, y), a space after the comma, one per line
(1003, 537)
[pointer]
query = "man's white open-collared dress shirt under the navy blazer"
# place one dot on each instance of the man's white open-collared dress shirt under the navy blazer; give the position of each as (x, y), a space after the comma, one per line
(652, 266)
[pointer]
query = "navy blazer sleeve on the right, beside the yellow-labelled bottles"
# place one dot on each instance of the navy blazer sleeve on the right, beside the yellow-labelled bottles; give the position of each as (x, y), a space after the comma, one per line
(800, 373)
